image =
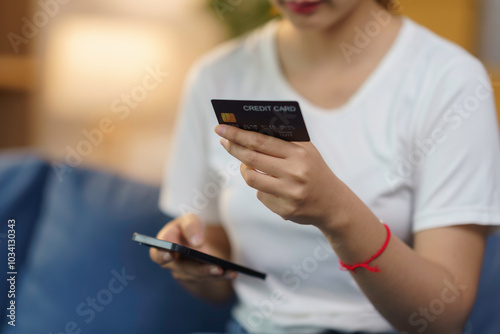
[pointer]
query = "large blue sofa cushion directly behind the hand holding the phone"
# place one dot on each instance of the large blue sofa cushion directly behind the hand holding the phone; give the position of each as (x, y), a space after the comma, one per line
(83, 271)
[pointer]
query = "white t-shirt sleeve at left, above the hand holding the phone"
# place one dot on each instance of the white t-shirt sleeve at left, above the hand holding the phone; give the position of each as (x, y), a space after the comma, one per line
(187, 169)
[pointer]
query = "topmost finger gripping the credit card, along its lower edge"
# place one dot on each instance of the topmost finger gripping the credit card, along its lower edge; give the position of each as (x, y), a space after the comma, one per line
(255, 141)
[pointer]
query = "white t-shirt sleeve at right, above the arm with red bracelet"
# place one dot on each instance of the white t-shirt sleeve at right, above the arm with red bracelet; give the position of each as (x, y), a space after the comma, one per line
(457, 150)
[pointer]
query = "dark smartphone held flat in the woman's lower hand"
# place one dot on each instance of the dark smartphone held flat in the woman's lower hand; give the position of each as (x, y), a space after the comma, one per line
(193, 254)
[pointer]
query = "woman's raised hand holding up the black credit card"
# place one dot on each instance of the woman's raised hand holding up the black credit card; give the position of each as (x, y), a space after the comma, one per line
(291, 178)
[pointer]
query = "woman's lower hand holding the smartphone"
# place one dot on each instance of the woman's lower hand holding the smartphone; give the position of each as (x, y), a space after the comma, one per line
(190, 231)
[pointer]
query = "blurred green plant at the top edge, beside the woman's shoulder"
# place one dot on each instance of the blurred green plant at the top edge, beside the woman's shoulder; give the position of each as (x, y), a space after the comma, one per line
(240, 16)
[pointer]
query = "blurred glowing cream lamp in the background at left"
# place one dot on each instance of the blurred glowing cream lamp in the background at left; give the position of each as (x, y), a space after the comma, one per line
(92, 61)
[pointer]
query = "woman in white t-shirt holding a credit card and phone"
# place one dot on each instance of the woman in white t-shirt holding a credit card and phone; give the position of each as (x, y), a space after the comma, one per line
(403, 130)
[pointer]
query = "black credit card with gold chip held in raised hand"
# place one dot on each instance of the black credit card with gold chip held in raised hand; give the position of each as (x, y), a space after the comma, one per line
(280, 119)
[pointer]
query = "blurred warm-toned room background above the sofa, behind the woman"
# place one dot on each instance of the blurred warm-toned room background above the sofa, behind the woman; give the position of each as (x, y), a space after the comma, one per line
(97, 82)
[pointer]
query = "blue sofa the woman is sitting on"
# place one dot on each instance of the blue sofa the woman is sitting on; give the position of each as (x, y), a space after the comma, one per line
(79, 271)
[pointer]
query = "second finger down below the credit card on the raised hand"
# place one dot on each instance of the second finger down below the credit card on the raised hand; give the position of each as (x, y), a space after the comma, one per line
(254, 159)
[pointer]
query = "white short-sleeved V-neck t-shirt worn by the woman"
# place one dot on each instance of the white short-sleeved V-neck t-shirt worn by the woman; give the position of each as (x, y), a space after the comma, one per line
(418, 143)
